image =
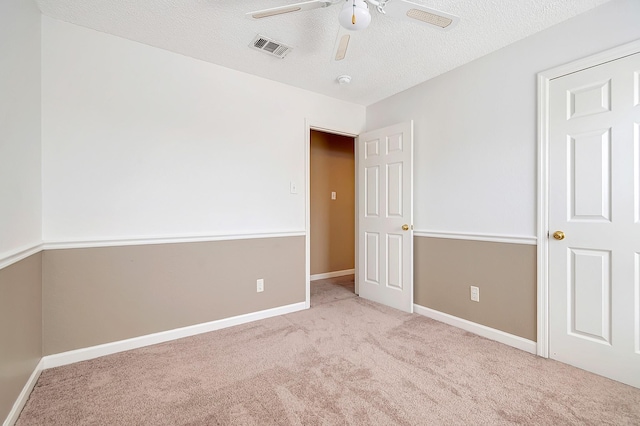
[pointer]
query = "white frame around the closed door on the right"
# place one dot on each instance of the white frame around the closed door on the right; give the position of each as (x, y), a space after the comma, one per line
(544, 79)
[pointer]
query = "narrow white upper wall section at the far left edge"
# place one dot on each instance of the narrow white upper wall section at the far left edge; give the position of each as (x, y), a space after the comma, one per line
(20, 189)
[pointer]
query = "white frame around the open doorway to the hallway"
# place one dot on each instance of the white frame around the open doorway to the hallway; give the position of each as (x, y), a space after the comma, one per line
(311, 124)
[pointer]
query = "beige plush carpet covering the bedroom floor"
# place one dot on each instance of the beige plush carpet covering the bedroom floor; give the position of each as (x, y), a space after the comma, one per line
(344, 361)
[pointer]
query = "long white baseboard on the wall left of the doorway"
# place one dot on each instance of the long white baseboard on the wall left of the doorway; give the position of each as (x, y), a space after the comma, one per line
(84, 354)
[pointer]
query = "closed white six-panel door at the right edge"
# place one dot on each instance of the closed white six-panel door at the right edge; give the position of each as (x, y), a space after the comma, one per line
(594, 201)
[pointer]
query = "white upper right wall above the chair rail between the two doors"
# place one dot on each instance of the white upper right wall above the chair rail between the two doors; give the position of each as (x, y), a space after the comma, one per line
(475, 127)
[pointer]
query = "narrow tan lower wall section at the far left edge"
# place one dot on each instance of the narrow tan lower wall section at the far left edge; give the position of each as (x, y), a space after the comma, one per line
(20, 327)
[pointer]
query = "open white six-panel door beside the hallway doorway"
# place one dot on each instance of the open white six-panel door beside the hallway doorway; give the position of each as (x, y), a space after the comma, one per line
(385, 216)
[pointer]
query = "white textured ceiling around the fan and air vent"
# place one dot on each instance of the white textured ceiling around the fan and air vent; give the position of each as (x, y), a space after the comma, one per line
(386, 58)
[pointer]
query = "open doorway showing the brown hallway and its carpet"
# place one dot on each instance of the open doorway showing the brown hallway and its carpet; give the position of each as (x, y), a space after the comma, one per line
(332, 215)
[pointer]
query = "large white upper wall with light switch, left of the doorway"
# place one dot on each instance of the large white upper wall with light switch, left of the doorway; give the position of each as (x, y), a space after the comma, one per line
(141, 142)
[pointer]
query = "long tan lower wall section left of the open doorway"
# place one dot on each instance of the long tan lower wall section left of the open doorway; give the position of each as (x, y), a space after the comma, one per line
(100, 295)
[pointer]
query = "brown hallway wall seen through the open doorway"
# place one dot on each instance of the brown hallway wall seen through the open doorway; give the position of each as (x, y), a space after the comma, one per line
(332, 168)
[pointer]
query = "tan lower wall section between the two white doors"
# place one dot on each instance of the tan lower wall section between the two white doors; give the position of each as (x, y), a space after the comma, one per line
(505, 274)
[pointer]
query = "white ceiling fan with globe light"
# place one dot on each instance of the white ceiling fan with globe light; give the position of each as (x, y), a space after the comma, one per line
(355, 16)
